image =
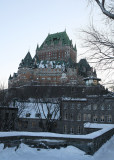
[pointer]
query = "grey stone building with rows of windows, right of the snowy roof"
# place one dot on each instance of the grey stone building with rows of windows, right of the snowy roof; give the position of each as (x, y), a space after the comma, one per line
(93, 108)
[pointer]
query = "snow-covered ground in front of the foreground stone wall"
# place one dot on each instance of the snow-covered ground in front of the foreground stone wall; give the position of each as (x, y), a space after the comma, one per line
(24, 152)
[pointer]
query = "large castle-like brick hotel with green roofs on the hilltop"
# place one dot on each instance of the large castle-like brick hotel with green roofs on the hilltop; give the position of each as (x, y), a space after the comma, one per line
(54, 63)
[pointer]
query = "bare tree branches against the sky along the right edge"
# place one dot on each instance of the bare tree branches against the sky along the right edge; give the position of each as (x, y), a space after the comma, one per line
(99, 43)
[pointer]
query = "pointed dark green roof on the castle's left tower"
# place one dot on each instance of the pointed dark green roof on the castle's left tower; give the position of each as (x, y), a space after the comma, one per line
(27, 61)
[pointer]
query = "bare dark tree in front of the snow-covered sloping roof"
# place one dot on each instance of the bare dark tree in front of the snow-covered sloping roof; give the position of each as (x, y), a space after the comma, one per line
(48, 111)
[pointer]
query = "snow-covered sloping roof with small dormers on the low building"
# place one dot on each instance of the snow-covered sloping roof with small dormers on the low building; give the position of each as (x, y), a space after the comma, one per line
(38, 110)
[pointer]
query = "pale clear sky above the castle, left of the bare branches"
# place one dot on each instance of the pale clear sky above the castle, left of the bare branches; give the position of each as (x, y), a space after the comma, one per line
(26, 23)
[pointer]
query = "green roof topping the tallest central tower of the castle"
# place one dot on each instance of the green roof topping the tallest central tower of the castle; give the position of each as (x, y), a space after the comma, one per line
(57, 38)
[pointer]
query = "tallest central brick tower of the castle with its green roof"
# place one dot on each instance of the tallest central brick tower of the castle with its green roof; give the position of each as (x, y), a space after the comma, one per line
(57, 46)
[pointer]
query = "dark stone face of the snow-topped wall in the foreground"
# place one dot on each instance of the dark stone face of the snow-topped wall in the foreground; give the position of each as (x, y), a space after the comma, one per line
(90, 146)
